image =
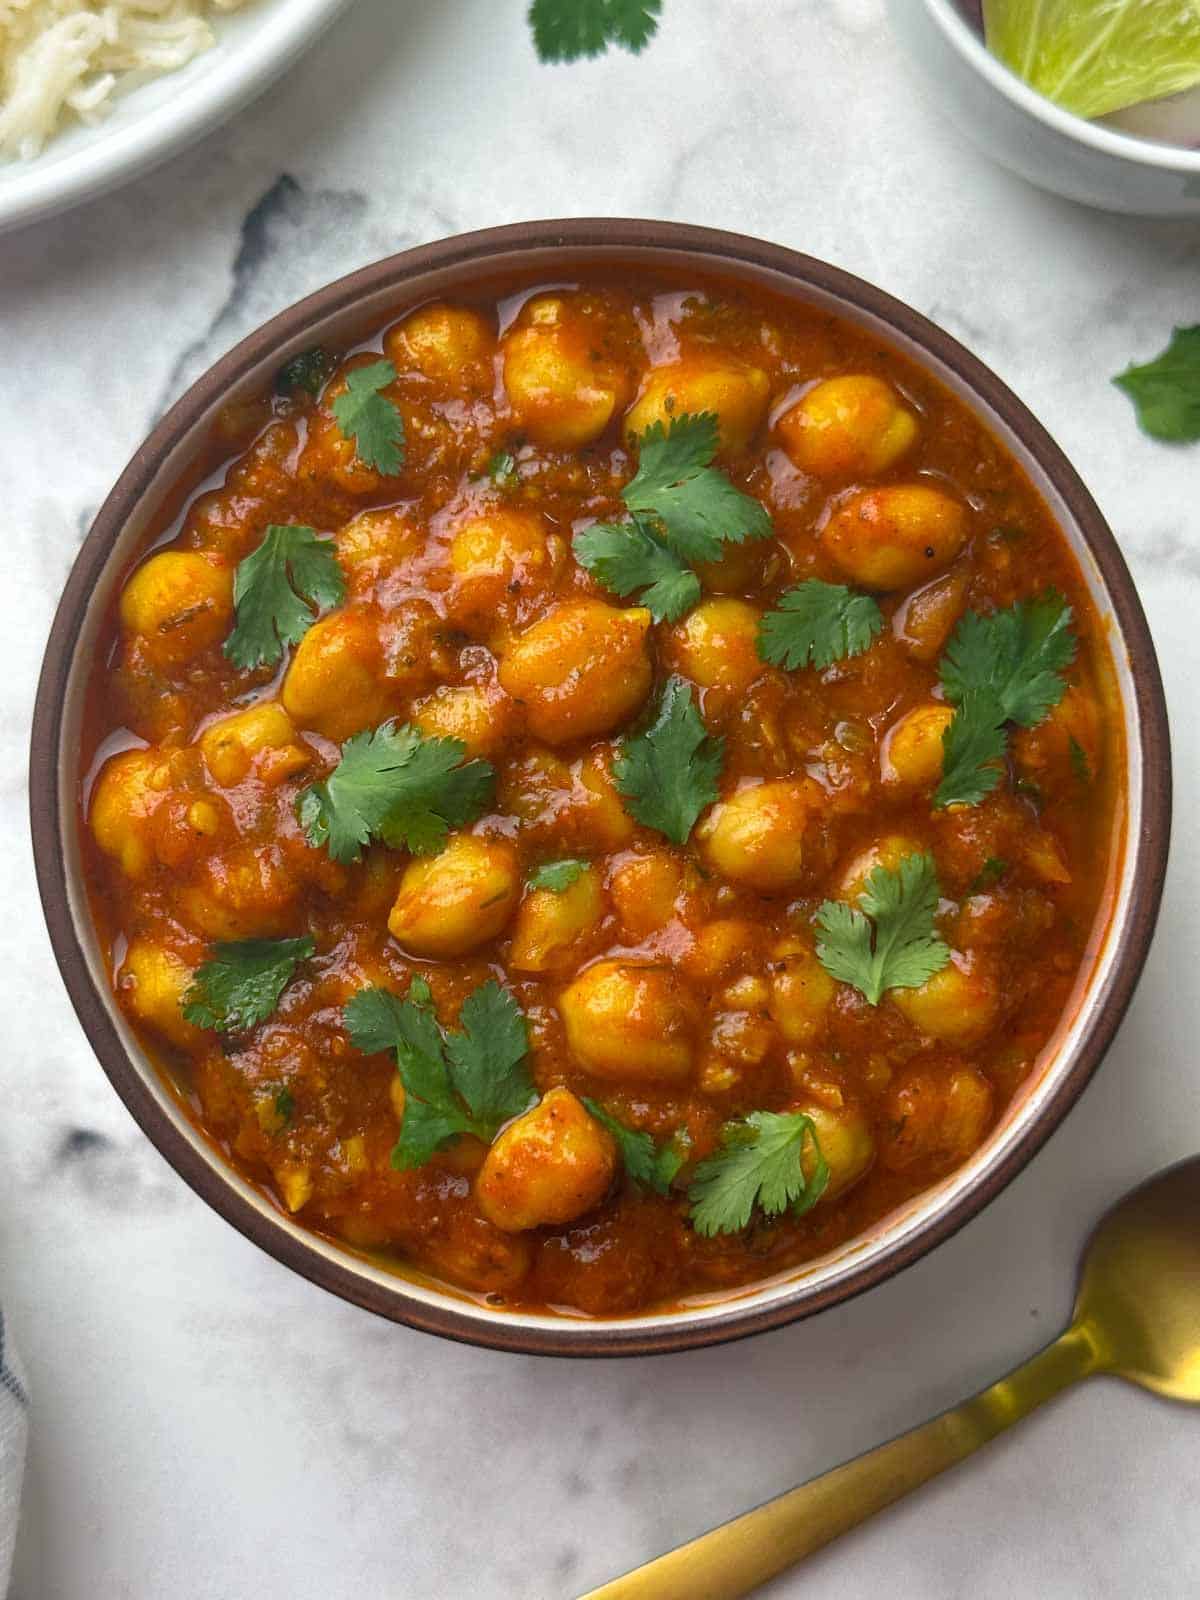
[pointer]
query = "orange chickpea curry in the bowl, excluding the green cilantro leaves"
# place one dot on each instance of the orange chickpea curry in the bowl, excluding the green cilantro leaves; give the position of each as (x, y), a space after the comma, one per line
(718, 1006)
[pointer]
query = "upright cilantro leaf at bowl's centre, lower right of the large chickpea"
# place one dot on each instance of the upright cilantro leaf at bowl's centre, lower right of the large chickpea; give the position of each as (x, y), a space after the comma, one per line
(670, 772)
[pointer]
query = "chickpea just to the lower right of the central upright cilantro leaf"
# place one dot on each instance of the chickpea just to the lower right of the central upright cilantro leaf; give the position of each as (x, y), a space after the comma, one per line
(758, 836)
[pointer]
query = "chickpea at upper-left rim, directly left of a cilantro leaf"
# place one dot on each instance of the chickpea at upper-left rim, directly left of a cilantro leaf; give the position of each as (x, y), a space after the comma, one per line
(182, 604)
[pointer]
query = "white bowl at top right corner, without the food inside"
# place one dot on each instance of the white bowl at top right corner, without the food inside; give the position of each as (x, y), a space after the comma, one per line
(1028, 134)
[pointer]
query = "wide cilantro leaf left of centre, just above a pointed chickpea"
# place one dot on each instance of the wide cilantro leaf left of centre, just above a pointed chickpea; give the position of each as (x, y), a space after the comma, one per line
(396, 785)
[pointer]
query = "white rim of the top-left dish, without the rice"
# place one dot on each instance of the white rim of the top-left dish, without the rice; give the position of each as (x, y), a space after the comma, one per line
(161, 118)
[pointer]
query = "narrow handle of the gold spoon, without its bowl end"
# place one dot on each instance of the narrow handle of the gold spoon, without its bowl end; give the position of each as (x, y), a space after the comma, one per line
(750, 1551)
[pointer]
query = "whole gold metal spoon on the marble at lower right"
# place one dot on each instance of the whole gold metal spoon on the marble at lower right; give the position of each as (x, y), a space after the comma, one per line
(1137, 1316)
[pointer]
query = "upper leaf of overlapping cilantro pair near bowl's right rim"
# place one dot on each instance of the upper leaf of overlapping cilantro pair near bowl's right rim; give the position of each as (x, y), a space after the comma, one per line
(1018, 655)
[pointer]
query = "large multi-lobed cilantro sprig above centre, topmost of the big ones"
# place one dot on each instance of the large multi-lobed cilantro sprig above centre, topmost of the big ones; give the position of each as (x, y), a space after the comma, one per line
(684, 511)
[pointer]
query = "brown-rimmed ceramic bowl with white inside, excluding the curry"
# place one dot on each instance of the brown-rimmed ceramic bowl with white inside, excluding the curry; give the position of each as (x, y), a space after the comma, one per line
(337, 318)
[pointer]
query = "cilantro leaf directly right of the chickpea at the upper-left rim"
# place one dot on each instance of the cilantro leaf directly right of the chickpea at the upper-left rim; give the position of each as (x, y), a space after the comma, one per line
(279, 590)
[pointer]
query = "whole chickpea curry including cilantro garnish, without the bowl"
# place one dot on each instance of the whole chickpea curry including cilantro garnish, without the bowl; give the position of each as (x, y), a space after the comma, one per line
(609, 796)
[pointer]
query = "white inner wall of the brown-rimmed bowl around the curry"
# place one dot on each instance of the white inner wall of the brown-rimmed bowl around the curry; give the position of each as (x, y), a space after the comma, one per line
(830, 1271)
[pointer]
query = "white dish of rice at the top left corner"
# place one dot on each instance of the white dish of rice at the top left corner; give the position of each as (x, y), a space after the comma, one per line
(95, 92)
